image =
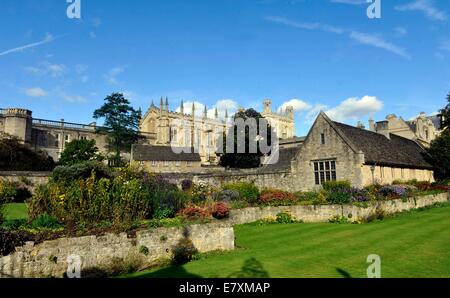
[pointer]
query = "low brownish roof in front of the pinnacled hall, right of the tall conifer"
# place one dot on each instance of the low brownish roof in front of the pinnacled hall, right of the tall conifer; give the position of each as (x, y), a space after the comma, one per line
(162, 153)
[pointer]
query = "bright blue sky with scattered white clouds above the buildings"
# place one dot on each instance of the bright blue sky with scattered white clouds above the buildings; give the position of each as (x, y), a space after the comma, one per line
(314, 54)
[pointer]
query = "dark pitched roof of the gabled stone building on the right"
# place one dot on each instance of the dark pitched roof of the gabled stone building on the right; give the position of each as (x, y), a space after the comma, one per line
(377, 149)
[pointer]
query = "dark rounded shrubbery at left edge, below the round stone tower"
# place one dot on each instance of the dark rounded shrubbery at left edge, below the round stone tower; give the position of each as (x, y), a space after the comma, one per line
(15, 156)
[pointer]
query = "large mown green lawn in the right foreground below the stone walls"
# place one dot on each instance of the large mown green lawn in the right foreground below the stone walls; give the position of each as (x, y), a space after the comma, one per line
(414, 244)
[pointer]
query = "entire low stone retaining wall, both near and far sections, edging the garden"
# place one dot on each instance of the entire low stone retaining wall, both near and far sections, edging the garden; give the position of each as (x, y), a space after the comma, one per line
(50, 257)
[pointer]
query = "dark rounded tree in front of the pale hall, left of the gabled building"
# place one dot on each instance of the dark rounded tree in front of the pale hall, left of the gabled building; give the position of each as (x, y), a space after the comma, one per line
(244, 160)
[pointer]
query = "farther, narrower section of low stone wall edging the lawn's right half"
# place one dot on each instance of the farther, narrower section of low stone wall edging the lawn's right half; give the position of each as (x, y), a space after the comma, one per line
(324, 213)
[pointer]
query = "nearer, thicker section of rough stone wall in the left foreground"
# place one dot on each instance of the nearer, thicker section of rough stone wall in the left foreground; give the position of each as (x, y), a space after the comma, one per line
(50, 257)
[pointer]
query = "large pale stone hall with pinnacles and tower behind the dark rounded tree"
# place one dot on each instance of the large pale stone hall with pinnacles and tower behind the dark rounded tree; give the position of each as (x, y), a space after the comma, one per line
(179, 129)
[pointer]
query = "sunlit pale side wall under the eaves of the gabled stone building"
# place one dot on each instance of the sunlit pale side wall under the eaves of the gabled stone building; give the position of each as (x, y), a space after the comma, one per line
(387, 175)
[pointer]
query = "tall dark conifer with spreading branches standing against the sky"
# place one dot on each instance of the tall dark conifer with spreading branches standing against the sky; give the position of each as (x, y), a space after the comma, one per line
(121, 123)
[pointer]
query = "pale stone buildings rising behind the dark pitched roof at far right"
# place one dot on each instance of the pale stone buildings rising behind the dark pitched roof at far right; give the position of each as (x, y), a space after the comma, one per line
(423, 129)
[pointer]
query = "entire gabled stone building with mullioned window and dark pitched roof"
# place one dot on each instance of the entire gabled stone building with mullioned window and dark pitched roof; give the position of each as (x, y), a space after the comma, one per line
(336, 151)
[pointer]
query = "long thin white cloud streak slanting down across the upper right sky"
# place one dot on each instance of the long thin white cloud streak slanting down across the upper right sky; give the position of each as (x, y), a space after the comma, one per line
(363, 38)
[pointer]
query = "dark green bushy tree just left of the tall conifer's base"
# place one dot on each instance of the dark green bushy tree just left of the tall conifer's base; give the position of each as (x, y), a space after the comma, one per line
(78, 151)
